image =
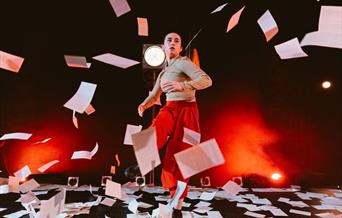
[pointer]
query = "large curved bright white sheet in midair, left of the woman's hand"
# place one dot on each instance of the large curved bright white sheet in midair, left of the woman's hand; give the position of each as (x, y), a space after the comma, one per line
(82, 98)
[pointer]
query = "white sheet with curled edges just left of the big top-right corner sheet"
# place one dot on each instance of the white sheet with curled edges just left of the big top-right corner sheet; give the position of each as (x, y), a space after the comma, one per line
(290, 49)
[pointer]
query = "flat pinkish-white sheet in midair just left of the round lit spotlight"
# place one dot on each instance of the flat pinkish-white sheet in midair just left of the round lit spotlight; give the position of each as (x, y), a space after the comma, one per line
(116, 60)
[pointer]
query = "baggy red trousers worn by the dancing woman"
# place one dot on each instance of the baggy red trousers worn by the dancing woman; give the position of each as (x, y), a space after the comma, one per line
(170, 123)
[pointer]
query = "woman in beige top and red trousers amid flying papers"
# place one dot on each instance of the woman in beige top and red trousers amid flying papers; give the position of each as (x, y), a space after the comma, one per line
(179, 81)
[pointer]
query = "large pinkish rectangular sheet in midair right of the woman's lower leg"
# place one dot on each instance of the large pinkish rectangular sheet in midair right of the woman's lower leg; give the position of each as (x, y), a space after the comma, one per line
(199, 158)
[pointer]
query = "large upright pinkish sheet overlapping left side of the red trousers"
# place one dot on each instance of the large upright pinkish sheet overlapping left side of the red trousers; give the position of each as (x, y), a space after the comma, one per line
(146, 150)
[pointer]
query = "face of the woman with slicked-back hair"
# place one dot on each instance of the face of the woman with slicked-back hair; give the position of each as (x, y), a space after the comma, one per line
(172, 45)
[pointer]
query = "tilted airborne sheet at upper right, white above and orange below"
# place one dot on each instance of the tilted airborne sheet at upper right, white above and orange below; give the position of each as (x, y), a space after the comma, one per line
(268, 25)
